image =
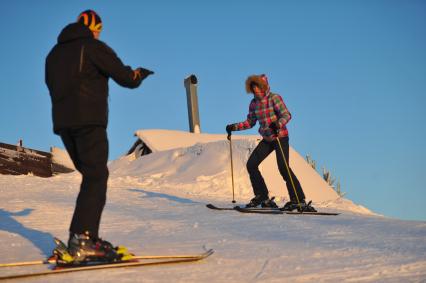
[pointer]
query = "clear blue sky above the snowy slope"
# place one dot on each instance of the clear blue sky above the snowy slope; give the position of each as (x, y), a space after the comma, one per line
(352, 73)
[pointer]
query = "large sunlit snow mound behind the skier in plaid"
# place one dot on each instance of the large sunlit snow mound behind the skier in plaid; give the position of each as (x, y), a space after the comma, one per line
(179, 162)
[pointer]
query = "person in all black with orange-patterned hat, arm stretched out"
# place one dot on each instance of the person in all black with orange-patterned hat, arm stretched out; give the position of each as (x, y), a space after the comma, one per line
(77, 72)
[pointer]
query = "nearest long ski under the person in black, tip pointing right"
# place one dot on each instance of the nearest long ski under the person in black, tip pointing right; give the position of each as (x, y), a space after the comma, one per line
(119, 264)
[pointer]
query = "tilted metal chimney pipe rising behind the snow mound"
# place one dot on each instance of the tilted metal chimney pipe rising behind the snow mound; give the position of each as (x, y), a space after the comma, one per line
(192, 100)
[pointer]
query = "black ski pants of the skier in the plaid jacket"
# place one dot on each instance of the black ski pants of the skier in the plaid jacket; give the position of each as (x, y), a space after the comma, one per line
(263, 149)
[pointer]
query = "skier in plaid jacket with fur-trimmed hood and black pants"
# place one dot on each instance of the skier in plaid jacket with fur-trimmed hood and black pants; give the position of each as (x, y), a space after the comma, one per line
(272, 114)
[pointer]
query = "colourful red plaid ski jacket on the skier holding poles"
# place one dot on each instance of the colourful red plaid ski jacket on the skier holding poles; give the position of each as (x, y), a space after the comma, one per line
(267, 110)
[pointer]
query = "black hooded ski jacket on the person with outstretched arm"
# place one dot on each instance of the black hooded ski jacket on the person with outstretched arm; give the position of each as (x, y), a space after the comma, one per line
(77, 71)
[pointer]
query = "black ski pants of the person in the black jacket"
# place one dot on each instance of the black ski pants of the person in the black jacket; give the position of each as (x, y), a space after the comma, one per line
(88, 149)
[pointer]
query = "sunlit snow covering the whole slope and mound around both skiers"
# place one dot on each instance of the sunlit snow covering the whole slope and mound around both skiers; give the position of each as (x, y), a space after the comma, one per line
(156, 205)
